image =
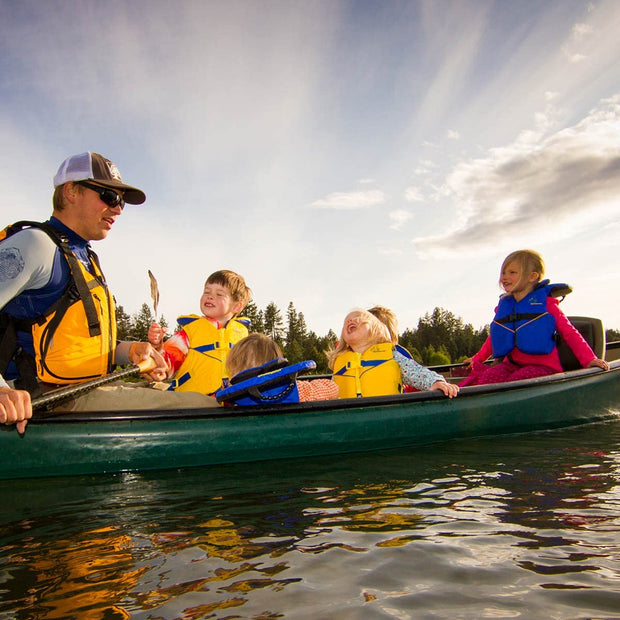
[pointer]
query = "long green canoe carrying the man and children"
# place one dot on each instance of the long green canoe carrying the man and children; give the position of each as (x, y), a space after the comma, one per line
(90, 443)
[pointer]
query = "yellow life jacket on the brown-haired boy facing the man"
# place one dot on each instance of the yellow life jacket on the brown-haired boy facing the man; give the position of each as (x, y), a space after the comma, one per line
(204, 368)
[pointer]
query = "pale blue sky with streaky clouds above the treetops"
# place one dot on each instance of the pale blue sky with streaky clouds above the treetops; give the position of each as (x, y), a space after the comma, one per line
(335, 153)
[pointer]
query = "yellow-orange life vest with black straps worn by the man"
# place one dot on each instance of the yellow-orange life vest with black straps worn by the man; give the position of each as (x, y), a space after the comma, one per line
(75, 338)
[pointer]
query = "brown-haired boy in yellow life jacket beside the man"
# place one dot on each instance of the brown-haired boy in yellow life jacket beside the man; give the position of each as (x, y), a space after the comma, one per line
(196, 354)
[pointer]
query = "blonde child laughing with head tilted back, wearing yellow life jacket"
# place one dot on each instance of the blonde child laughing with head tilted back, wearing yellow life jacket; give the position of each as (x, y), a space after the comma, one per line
(365, 362)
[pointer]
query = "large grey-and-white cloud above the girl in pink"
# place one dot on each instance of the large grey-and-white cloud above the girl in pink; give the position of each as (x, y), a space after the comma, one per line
(536, 184)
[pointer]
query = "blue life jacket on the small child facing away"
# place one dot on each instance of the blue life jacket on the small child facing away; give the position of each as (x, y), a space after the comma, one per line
(273, 382)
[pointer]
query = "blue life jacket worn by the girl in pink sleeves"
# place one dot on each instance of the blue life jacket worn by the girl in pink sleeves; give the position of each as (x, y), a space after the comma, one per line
(526, 324)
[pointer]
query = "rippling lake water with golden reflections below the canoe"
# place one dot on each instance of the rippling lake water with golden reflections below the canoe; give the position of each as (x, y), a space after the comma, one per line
(518, 527)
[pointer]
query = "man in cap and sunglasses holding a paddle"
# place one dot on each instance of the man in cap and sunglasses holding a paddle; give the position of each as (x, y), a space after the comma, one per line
(57, 315)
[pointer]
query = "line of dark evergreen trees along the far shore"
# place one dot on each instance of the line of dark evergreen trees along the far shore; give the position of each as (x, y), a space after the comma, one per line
(440, 337)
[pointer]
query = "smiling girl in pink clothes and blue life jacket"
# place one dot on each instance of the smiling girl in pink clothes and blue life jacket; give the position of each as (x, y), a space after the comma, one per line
(522, 332)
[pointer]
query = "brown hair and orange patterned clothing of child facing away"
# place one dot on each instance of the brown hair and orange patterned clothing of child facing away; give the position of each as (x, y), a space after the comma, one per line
(257, 349)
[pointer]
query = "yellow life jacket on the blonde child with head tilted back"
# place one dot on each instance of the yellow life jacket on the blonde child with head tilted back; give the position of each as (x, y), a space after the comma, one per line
(372, 373)
